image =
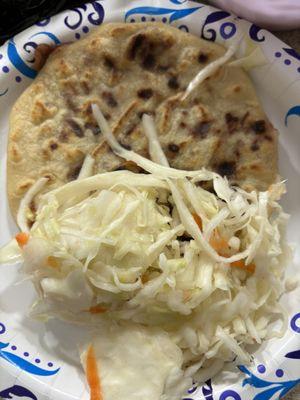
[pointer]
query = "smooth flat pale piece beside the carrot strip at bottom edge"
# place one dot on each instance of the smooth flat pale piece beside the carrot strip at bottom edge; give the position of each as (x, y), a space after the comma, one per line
(136, 363)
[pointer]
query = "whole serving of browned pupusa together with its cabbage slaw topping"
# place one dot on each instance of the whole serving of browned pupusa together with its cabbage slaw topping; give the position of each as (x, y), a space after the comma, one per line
(142, 172)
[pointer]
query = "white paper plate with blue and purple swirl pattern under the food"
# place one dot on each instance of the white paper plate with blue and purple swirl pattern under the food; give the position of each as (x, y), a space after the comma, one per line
(40, 361)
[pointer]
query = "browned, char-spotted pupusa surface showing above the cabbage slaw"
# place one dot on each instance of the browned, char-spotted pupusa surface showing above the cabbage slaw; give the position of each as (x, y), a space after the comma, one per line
(128, 70)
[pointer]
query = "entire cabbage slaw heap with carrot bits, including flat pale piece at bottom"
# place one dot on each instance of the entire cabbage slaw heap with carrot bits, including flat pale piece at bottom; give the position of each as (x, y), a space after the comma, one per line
(185, 277)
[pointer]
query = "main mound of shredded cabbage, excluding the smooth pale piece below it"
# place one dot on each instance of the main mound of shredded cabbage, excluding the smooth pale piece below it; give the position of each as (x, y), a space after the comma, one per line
(127, 255)
